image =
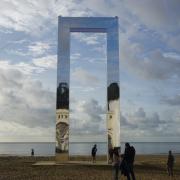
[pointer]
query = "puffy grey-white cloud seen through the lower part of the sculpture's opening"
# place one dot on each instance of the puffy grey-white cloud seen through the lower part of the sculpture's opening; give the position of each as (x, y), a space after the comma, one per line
(87, 117)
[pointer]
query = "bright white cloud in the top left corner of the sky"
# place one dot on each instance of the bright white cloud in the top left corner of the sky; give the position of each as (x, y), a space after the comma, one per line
(23, 15)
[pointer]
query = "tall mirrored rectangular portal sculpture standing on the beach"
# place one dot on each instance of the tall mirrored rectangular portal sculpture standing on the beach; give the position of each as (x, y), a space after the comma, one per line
(66, 25)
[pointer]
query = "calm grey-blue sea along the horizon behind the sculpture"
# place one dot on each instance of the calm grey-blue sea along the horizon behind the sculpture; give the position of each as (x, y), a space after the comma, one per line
(83, 148)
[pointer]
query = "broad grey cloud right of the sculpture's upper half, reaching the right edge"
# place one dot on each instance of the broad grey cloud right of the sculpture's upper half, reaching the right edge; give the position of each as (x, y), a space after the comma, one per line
(153, 66)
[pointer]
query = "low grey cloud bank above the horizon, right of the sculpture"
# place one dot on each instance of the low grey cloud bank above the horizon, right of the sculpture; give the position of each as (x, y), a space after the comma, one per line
(142, 126)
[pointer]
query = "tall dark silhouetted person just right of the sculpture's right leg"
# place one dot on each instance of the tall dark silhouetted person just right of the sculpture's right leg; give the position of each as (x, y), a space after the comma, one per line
(129, 156)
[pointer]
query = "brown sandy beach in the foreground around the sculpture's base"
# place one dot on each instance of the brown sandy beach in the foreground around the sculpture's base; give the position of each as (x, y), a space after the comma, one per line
(149, 167)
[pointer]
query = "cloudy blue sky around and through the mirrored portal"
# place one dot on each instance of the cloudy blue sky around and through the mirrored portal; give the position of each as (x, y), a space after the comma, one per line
(149, 39)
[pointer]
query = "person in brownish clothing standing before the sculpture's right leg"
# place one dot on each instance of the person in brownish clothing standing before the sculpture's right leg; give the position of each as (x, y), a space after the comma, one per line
(116, 163)
